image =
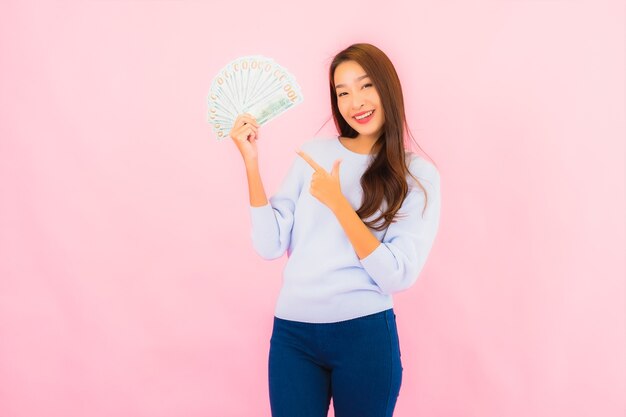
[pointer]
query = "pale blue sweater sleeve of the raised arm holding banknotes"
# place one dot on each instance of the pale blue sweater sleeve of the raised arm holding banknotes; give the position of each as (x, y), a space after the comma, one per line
(272, 223)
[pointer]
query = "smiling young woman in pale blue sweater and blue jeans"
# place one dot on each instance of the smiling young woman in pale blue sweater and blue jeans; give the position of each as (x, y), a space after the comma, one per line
(357, 215)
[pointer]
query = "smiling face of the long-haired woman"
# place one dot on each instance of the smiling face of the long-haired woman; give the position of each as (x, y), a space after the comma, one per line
(358, 100)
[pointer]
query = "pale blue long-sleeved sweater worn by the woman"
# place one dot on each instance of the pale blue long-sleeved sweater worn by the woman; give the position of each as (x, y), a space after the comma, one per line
(324, 281)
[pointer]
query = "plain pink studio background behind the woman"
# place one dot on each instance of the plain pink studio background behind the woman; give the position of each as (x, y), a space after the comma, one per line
(128, 283)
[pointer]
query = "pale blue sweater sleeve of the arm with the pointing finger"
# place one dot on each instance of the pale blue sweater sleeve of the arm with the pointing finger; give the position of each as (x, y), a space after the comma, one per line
(396, 263)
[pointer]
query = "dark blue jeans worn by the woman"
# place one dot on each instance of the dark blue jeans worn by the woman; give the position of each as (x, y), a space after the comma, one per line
(356, 362)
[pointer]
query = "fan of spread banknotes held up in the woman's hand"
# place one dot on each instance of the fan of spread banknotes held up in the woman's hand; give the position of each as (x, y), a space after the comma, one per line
(251, 84)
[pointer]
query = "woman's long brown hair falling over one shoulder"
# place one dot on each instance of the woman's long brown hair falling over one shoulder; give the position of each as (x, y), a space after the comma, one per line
(385, 178)
